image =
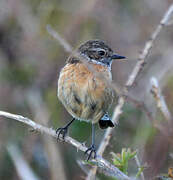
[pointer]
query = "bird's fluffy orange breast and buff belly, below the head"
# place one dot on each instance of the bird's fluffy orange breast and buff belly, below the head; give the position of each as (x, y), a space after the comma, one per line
(84, 90)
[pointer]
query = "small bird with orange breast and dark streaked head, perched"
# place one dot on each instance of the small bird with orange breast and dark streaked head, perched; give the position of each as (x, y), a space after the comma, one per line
(83, 87)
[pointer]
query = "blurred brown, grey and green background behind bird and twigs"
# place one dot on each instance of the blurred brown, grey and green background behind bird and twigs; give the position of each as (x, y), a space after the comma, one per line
(30, 61)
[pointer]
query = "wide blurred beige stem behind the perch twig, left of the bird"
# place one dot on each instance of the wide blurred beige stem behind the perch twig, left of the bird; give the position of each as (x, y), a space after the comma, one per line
(41, 115)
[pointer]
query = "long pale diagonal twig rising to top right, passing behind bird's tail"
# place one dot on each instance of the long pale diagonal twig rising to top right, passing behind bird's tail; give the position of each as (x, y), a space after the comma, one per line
(137, 69)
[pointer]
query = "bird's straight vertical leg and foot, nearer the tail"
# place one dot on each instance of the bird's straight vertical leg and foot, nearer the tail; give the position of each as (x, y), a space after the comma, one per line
(91, 149)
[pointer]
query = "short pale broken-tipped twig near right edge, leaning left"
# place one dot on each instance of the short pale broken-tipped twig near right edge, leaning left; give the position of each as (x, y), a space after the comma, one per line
(161, 104)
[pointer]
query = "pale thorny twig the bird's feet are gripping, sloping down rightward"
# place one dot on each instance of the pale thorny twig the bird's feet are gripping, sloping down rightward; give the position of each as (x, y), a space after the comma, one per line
(99, 161)
